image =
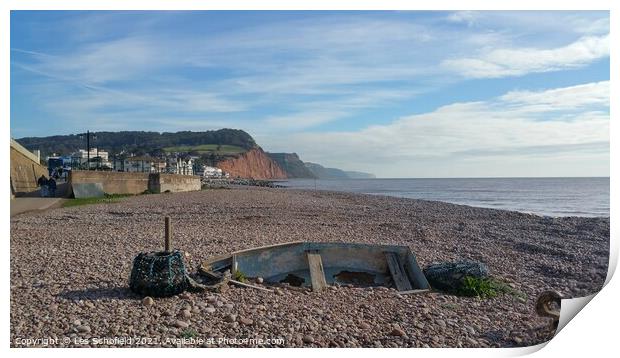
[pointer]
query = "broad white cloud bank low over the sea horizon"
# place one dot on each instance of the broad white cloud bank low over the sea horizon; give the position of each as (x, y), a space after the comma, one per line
(502, 130)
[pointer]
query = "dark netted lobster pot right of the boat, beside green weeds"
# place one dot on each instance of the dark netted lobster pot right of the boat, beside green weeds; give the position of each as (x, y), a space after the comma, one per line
(449, 276)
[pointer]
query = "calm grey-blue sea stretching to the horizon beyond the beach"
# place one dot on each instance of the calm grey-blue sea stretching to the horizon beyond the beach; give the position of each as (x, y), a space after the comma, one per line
(542, 196)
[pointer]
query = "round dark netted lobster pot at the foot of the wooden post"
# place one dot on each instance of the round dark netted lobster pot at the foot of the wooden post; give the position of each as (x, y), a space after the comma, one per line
(158, 274)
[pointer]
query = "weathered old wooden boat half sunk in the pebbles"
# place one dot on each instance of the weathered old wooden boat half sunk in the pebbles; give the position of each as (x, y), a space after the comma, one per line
(319, 264)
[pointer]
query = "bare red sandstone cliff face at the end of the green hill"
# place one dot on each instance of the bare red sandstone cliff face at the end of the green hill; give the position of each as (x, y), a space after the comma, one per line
(253, 164)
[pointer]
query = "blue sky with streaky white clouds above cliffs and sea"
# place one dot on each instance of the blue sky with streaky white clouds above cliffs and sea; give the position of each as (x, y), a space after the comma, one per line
(396, 94)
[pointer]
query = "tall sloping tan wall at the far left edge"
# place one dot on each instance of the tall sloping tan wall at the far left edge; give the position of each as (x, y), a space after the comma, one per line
(25, 170)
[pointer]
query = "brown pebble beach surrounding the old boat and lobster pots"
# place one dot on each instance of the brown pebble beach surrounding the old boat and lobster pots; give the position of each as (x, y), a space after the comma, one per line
(85, 276)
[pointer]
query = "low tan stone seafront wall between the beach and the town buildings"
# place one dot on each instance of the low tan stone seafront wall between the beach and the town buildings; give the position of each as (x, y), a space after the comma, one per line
(135, 183)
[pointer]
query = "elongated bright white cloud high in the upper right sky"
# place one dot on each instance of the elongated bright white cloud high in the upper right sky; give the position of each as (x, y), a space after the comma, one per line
(504, 62)
